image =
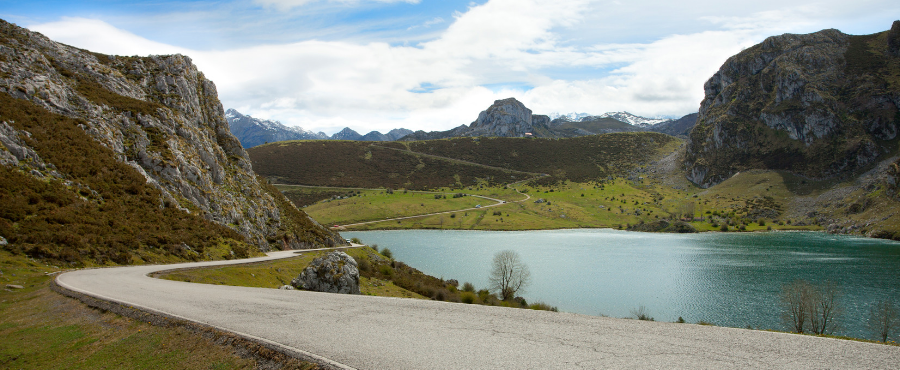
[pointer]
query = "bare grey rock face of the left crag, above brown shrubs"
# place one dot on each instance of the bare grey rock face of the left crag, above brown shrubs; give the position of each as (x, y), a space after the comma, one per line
(161, 117)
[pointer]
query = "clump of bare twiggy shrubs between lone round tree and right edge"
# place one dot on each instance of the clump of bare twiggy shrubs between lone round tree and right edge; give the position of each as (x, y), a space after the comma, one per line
(810, 307)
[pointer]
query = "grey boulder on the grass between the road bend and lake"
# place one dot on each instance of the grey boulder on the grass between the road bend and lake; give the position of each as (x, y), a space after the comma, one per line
(336, 272)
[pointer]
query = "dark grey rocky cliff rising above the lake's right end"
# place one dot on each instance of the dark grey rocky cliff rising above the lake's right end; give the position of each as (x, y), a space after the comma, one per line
(821, 105)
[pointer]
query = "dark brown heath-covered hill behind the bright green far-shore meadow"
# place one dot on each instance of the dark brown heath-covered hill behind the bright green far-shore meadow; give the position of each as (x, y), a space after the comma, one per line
(456, 163)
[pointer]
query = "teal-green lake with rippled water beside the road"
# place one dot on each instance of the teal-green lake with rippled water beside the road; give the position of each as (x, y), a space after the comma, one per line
(728, 279)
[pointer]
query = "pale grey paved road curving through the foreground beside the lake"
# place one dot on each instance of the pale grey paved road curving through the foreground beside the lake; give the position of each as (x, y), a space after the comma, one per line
(391, 333)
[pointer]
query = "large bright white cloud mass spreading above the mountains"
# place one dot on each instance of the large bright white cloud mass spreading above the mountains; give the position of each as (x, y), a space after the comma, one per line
(439, 84)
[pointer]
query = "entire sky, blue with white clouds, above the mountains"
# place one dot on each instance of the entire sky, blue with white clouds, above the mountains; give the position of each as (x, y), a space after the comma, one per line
(434, 64)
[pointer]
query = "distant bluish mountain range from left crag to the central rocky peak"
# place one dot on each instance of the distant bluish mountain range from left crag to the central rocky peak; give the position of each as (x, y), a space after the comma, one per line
(254, 131)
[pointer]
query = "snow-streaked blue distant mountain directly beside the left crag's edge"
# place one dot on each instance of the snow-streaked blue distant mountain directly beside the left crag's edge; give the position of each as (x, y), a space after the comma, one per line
(254, 131)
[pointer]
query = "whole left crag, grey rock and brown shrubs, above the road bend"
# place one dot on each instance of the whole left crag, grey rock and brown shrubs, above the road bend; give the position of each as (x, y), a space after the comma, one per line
(104, 156)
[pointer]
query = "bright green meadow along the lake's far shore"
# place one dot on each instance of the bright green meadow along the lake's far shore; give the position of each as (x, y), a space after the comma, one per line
(750, 201)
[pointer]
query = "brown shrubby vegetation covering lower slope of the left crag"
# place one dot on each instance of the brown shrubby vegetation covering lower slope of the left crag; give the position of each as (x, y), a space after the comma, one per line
(102, 211)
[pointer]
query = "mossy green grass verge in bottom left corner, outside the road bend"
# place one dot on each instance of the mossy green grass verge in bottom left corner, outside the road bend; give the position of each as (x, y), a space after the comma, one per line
(41, 329)
